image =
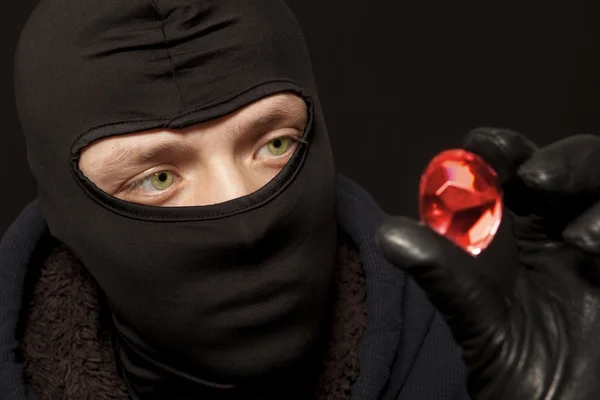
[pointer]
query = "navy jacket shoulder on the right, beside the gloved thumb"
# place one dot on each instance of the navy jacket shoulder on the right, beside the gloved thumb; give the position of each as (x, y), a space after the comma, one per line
(408, 351)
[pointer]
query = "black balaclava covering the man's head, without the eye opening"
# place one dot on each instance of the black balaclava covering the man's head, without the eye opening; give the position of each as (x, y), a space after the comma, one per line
(219, 301)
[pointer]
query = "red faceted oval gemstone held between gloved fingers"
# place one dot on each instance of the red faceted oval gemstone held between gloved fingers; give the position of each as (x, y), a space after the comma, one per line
(460, 198)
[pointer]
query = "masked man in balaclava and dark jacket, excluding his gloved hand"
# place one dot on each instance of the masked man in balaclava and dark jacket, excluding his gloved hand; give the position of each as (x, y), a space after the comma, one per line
(199, 243)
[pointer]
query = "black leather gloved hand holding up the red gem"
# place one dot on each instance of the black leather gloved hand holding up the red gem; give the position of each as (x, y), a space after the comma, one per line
(538, 338)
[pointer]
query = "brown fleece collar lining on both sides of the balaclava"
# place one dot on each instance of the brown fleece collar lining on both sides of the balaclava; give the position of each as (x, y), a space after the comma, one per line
(68, 354)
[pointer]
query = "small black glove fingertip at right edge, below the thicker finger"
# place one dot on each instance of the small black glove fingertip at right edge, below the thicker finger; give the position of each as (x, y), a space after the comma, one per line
(584, 231)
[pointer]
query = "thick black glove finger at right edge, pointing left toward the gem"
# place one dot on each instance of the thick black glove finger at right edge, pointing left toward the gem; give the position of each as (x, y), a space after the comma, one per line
(569, 167)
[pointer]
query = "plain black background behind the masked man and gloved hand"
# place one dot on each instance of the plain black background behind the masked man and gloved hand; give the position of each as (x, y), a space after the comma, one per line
(402, 80)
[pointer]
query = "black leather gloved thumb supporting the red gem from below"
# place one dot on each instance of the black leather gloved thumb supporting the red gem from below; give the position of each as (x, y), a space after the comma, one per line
(450, 277)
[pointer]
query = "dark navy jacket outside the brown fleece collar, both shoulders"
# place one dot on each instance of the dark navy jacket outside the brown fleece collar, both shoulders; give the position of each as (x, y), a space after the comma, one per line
(407, 351)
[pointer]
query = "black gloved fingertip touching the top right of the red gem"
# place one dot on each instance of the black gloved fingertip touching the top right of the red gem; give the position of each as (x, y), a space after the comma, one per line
(504, 150)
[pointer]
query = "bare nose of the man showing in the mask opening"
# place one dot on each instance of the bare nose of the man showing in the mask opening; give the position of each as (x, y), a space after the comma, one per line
(223, 180)
